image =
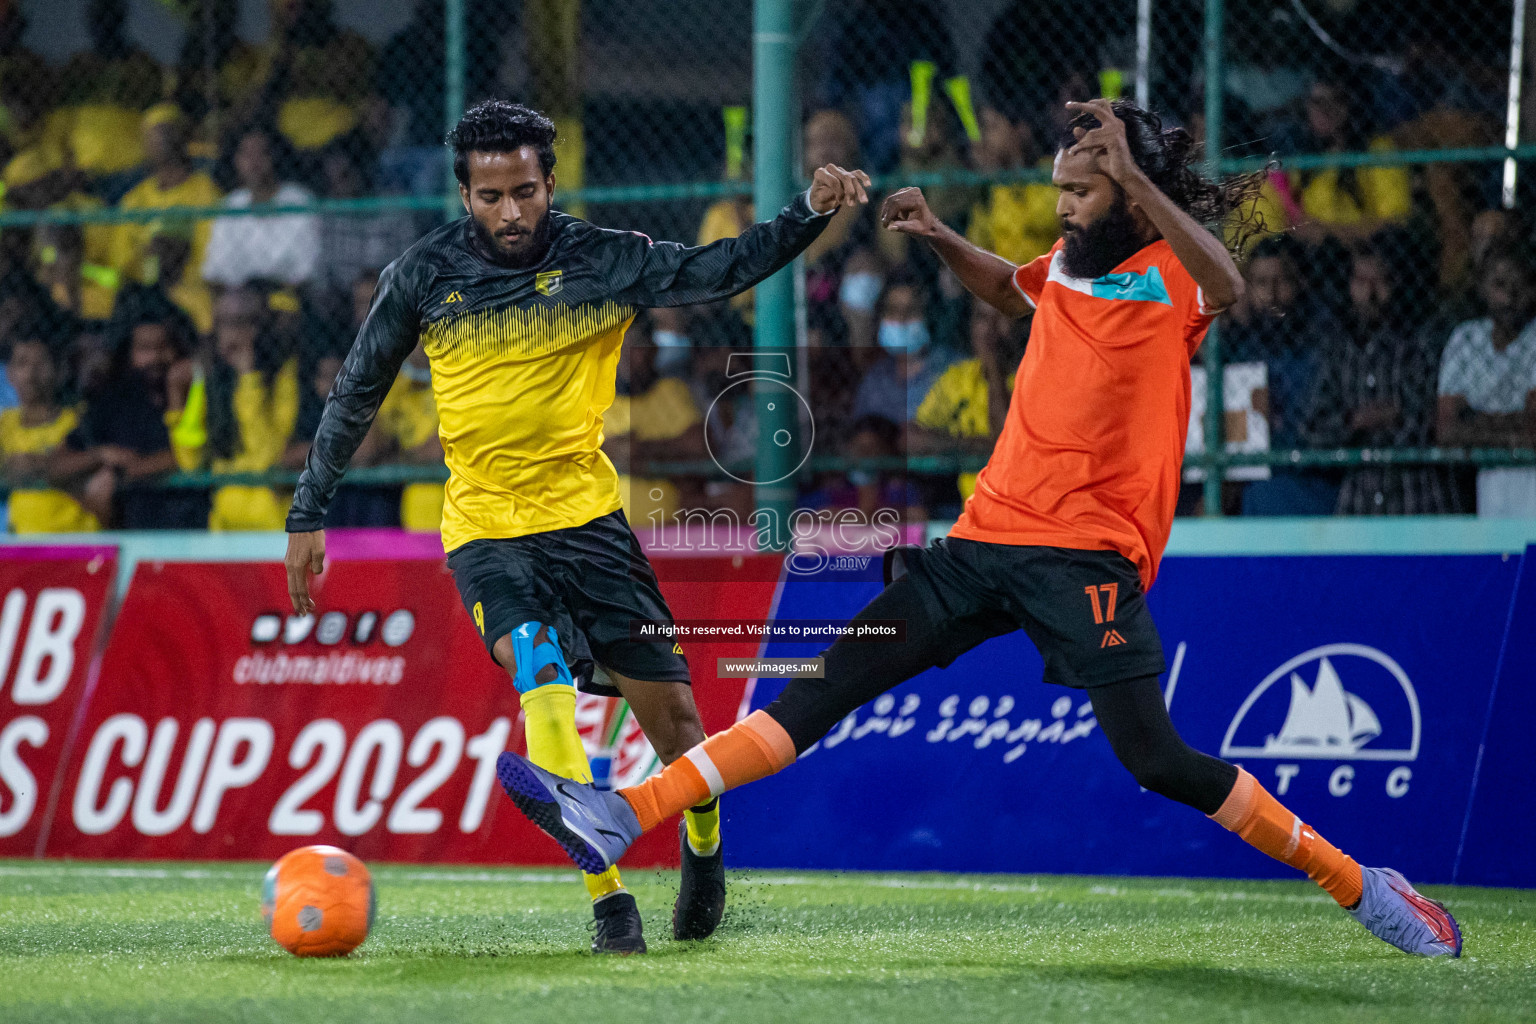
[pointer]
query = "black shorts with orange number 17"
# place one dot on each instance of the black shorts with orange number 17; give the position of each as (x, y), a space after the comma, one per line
(1084, 610)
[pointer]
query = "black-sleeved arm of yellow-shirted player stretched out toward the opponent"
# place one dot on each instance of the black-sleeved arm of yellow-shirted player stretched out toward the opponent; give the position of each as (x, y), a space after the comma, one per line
(669, 274)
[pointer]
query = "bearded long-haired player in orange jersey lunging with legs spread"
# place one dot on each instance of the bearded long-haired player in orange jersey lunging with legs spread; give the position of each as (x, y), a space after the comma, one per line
(1067, 526)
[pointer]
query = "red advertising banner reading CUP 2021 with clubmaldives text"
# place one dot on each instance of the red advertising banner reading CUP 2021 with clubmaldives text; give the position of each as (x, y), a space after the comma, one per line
(225, 727)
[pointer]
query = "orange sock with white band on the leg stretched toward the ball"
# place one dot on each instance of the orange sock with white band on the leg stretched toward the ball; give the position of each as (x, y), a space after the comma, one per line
(753, 748)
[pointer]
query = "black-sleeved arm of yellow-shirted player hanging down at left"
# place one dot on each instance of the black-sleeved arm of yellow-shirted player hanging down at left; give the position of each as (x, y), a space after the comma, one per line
(386, 339)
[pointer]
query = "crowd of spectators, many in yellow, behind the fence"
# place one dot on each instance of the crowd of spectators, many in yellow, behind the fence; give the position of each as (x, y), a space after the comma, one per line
(1389, 306)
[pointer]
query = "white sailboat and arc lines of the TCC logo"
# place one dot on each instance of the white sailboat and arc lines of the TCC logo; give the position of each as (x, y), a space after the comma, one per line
(1325, 719)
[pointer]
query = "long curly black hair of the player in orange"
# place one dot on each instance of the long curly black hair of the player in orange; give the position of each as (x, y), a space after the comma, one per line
(1167, 156)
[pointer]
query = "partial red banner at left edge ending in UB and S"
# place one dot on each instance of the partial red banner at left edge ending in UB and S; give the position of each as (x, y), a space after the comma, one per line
(51, 607)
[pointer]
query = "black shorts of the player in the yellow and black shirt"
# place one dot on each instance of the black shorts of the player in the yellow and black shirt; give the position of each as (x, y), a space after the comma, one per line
(588, 584)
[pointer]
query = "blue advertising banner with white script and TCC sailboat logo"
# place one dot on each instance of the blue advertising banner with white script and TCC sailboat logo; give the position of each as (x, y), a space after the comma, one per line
(1354, 687)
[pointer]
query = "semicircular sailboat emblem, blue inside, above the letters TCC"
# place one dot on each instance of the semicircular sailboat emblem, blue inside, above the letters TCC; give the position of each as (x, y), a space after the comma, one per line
(1346, 702)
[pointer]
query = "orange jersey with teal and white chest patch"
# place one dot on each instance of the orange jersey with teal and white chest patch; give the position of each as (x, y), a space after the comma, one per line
(1090, 457)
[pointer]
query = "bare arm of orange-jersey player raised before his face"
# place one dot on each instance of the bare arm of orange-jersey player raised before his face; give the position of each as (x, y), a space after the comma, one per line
(1203, 254)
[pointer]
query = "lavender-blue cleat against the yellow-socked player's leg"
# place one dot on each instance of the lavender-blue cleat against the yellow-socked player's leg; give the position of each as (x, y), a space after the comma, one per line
(594, 827)
